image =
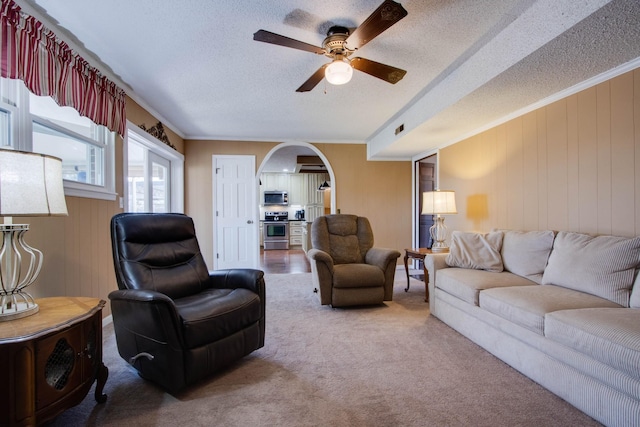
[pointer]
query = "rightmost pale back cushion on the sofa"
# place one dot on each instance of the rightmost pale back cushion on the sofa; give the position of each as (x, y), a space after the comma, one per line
(601, 265)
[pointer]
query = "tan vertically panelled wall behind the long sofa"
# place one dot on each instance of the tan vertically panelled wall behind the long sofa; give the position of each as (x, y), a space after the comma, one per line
(573, 165)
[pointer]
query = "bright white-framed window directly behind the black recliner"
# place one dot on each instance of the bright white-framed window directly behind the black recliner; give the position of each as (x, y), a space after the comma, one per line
(154, 174)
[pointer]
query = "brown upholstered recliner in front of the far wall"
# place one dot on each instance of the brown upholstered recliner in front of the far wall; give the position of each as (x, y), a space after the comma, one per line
(346, 268)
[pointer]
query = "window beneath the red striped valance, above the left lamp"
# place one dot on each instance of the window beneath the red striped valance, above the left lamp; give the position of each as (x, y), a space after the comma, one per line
(37, 123)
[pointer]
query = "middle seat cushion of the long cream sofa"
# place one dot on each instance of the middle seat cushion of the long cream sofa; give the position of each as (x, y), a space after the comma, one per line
(527, 305)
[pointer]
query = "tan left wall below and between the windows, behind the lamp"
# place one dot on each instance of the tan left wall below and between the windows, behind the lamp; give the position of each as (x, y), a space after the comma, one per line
(77, 248)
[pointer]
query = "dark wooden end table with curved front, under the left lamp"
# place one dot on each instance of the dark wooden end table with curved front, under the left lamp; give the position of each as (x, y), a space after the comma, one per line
(51, 359)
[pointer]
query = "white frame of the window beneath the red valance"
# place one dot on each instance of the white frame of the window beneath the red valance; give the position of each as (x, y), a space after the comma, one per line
(21, 138)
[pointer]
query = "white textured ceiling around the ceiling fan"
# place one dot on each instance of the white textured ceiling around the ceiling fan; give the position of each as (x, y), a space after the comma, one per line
(469, 63)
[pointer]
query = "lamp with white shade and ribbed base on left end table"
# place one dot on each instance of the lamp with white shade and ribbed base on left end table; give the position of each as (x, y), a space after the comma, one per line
(30, 185)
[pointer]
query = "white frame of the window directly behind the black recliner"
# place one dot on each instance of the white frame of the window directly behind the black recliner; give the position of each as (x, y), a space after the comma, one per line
(154, 145)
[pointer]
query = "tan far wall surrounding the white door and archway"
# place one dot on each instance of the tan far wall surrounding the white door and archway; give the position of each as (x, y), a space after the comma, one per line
(362, 188)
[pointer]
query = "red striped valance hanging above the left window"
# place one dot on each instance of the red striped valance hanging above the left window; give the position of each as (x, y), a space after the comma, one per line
(48, 66)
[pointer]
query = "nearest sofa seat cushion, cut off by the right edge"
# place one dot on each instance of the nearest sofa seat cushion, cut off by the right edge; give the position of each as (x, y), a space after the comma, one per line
(611, 336)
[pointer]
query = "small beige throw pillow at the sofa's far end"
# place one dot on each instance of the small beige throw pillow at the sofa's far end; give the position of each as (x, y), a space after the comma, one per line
(475, 250)
